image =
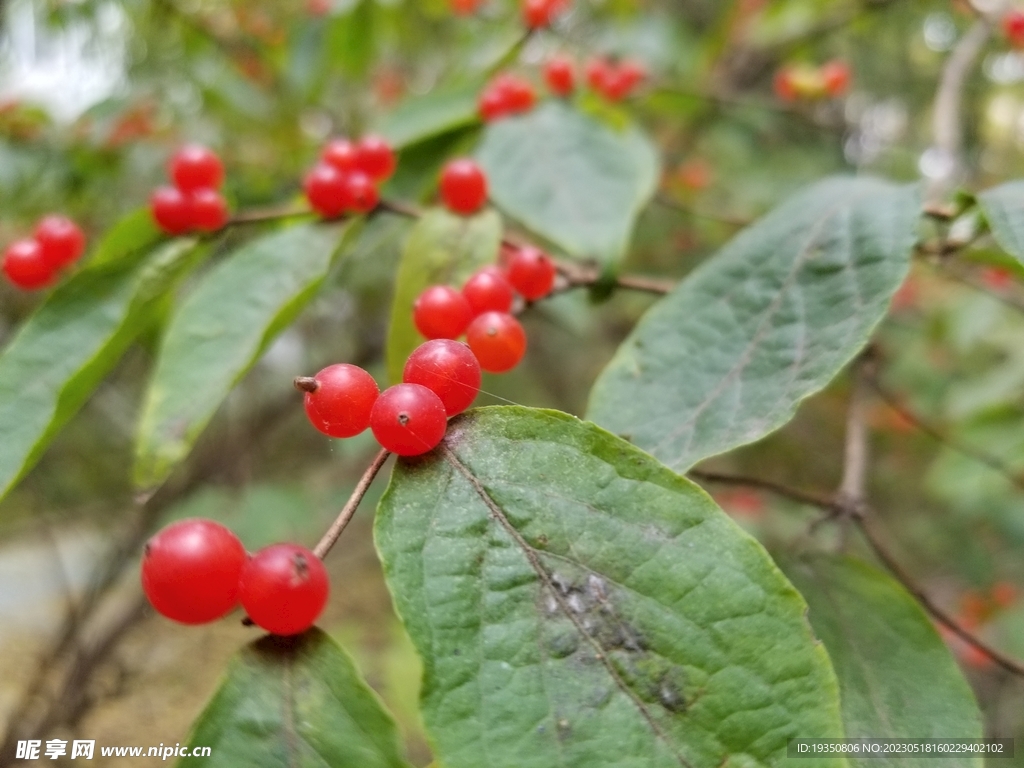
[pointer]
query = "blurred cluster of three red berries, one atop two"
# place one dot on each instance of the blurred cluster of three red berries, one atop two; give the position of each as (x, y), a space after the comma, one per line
(194, 203)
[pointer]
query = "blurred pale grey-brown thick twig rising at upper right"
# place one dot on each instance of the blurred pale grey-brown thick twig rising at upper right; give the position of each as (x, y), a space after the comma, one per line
(948, 127)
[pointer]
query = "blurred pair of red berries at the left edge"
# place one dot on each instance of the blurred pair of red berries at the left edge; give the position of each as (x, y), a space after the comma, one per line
(33, 263)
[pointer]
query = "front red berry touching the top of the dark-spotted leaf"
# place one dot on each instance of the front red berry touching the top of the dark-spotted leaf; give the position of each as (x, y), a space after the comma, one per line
(409, 419)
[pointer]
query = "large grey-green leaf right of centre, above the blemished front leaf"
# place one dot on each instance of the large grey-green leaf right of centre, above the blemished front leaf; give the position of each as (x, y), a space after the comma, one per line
(729, 356)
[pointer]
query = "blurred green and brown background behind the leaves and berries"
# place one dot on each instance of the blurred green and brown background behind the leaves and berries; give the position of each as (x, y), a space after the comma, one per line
(95, 97)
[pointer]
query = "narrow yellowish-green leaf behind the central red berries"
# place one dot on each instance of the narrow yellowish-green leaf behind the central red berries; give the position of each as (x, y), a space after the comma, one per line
(443, 248)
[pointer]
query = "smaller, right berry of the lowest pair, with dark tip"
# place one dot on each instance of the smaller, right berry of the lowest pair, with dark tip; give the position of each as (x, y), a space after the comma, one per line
(284, 588)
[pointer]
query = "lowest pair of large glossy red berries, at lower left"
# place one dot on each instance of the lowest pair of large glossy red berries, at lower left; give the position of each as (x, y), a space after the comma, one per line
(197, 571)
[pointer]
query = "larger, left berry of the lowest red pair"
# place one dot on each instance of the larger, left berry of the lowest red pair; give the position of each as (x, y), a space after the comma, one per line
(191, 571)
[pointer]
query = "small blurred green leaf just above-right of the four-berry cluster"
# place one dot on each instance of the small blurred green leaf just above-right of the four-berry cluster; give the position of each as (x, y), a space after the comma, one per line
(429, 116)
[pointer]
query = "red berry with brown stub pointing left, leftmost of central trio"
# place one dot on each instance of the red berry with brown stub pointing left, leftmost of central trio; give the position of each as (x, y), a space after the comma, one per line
(345, 398)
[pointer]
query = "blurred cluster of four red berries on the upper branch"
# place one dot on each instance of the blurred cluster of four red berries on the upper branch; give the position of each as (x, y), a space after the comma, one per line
(347, 179)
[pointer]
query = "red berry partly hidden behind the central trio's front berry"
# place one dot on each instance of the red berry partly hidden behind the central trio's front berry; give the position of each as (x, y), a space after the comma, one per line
(449, 370)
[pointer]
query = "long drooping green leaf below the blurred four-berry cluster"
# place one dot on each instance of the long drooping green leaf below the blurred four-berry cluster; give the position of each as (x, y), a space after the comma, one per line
(220, 332)
